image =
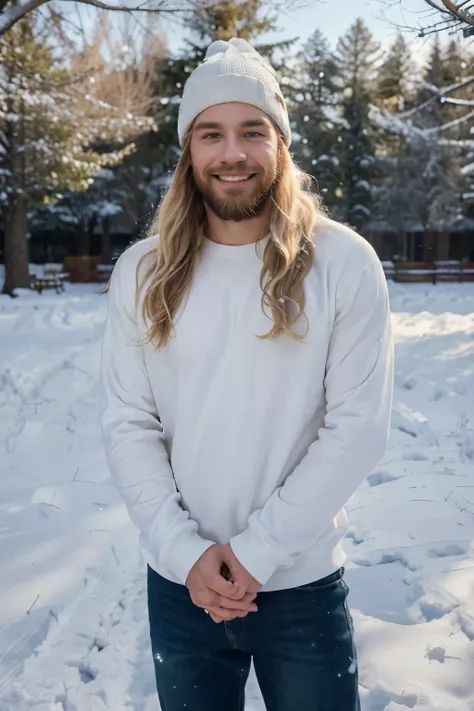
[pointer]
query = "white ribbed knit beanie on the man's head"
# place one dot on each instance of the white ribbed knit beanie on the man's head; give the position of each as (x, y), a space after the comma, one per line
(233, 71)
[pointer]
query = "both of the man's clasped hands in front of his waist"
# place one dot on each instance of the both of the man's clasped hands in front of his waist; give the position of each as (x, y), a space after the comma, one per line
(223, 599)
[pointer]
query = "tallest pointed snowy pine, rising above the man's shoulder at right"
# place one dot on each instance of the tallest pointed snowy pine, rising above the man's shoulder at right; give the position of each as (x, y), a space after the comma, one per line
(357, 58)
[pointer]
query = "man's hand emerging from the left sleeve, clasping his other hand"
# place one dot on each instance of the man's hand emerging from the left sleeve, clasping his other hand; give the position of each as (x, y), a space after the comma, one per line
(209, 590)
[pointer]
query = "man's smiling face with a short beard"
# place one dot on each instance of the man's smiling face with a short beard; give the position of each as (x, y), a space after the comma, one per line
(234, 156)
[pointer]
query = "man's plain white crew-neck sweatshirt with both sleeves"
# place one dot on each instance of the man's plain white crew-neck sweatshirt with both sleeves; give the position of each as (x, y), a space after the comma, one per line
(223, 437)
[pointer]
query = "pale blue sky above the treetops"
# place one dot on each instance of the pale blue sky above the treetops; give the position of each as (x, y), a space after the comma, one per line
(334, 17)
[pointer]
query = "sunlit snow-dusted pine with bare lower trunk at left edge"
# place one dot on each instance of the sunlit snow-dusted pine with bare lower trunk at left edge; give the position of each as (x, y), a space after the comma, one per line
(57, 132)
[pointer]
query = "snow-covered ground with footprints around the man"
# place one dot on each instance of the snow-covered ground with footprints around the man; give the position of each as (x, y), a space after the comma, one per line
(73, 626)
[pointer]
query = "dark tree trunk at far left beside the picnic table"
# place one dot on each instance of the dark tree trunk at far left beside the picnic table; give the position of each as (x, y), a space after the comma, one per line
(16, 247)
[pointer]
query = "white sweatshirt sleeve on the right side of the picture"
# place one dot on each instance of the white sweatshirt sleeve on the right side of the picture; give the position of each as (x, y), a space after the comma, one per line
(358, 387)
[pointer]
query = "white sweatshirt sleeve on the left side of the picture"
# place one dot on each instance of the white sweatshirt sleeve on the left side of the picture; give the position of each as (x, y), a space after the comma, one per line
(133, 437)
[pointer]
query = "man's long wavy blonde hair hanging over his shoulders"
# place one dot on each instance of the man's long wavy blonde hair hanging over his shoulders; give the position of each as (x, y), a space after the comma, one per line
(180, 224)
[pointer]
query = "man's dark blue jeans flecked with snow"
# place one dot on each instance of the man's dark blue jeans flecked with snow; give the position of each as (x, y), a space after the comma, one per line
(301, 642)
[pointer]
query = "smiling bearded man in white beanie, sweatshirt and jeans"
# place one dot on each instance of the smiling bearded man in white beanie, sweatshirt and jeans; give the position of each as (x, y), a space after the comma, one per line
(246, 393)
